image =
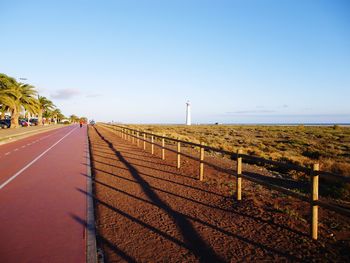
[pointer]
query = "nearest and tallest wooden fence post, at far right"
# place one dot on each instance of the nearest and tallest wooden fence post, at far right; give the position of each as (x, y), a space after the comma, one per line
(314, 198)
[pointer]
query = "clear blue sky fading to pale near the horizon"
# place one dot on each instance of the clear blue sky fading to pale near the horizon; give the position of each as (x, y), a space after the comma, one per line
(140, 61)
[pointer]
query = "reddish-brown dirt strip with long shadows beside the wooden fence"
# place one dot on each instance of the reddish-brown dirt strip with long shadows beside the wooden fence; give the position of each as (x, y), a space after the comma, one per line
(147, 210)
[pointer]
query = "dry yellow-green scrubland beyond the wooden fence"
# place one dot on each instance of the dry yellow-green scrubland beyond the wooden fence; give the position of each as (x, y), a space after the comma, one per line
(302, 145)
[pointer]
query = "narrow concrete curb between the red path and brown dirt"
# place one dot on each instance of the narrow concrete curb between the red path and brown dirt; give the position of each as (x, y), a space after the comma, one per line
(91, 250)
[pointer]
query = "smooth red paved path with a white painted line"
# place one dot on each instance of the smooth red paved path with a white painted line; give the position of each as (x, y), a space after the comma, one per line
(43, 179)
